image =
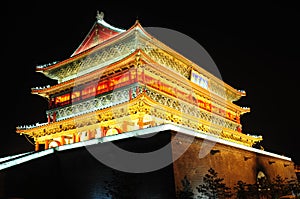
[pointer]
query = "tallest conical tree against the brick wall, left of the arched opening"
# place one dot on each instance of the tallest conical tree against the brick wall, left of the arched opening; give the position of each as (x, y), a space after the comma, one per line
(213, 186)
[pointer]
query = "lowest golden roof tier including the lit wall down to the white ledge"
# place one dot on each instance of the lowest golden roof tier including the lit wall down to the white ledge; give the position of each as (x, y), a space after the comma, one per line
(140, 112)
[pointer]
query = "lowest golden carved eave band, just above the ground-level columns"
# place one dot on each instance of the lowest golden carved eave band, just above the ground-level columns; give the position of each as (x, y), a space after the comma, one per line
(138, 107)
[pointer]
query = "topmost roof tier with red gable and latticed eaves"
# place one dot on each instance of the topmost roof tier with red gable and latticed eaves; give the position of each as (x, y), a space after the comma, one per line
(113, 44)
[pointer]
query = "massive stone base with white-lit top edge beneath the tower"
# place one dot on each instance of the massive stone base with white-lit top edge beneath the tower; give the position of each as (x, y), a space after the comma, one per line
(76, 173)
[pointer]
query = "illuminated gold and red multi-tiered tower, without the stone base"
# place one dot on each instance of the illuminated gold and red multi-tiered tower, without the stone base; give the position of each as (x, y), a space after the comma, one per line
(119, 80)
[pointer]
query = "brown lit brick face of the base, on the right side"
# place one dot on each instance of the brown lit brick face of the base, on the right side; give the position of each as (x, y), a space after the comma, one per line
(231, 163)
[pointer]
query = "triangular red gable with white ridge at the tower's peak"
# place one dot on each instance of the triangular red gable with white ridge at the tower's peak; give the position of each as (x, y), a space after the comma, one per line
(100, 32)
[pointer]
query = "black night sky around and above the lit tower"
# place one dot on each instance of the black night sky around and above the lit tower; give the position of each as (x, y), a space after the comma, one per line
(254, 45)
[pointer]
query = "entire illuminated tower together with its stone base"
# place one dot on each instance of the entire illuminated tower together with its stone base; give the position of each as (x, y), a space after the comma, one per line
(126, 83)
